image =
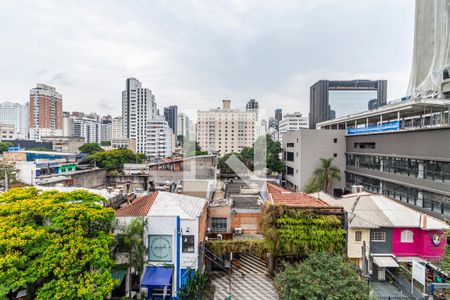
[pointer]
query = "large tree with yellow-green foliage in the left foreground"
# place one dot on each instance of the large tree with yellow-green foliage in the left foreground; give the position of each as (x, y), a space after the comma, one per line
(55, 245)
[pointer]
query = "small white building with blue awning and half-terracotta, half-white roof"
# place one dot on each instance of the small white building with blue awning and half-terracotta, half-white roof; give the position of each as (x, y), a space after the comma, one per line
(174, 235)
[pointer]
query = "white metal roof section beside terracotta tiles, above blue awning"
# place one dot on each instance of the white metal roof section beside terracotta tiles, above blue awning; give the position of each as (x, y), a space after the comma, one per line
(170, 204)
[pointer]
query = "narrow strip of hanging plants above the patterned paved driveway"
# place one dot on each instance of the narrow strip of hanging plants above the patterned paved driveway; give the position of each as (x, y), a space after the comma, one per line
(221, 247)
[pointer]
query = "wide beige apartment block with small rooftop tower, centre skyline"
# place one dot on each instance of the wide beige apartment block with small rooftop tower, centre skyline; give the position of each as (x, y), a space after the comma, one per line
(226, 130)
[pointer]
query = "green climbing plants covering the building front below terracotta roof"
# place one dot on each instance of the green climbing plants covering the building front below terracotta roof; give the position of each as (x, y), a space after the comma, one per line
(291, 231)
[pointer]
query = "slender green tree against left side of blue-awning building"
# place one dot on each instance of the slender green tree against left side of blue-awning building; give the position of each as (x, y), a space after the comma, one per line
(132, 240)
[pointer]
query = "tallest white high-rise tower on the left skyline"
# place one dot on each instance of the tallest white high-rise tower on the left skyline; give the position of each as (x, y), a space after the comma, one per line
(138, 107)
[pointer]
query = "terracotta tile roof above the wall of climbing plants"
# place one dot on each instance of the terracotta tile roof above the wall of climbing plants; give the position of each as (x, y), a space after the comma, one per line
(282, 196)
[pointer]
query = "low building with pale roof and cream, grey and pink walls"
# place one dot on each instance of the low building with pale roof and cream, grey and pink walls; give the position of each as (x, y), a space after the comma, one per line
(383, 233)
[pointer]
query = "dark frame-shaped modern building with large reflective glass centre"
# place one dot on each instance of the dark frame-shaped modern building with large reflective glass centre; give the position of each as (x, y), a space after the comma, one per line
(334, 99)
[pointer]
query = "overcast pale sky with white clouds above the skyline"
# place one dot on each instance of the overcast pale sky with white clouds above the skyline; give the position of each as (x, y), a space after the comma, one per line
(195, 53)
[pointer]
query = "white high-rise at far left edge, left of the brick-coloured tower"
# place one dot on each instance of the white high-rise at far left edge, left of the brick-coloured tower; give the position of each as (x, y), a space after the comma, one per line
(15, 114)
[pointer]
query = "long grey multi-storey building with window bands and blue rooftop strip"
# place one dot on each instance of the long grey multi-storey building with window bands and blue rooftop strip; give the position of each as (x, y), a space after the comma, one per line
(402, 151)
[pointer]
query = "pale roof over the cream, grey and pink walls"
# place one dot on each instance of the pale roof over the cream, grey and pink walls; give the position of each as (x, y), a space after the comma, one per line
(384, 212)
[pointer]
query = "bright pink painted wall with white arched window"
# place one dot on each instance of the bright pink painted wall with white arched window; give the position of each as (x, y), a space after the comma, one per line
(421, 246)
